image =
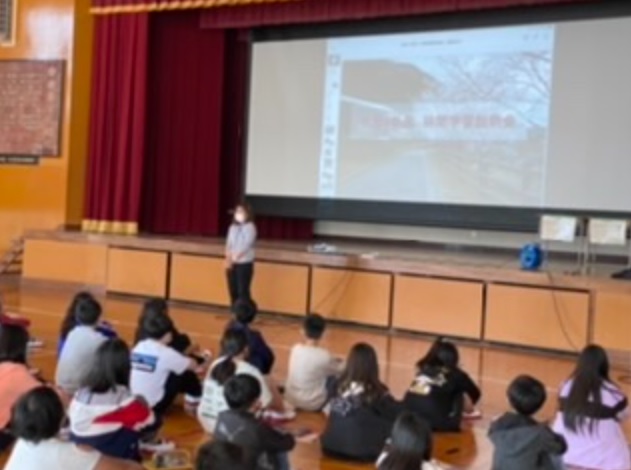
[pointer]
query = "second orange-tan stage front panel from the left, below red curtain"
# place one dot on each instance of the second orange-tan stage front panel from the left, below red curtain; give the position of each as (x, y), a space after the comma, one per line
(137, 272)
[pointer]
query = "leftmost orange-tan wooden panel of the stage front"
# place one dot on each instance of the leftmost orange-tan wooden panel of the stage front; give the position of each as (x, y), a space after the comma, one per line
(71, 262)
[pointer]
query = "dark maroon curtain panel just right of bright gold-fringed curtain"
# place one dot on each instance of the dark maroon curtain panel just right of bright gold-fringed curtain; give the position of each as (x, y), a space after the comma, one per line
(184, 127)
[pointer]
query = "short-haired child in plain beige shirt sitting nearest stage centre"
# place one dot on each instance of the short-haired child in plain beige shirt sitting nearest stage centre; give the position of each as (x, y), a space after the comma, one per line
(311, 368)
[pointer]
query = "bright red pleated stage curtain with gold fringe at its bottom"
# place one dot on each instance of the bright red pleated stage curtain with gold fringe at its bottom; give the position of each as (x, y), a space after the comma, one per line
(117, 124)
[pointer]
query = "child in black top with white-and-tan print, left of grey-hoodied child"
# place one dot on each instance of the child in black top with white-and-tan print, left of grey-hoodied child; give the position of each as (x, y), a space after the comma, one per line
(441, 392)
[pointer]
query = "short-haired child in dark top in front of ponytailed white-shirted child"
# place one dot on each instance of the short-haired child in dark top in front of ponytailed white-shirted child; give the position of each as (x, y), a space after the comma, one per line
(264, 446)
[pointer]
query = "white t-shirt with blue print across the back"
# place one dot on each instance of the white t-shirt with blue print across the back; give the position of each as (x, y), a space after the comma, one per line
(152, 362)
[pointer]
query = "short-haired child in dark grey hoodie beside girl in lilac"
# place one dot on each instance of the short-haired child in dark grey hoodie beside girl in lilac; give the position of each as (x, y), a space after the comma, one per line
(521, 443)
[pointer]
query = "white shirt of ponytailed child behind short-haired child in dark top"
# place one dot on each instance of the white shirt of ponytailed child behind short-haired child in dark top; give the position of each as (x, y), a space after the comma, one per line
(213, 401)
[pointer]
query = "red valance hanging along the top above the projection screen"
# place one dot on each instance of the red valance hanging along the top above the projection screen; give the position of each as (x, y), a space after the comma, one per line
(311, 11)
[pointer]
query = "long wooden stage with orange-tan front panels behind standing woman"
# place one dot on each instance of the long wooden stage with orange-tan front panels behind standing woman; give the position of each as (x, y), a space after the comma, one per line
(476, 296)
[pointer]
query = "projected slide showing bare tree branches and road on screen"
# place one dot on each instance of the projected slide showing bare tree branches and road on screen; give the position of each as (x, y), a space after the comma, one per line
(447, 117)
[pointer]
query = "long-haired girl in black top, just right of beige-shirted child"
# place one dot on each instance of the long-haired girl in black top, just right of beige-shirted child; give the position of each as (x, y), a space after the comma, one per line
(362, 411)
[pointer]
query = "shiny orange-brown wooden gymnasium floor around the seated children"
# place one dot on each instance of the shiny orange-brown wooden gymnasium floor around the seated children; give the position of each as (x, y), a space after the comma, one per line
(493, 368)
